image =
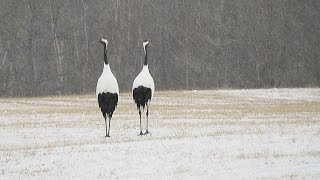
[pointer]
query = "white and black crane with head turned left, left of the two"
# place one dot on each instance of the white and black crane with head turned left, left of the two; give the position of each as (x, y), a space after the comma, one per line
(107, 90)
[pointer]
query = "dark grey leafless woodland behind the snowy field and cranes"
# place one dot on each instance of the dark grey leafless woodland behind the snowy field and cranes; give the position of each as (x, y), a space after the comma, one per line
(52, 47)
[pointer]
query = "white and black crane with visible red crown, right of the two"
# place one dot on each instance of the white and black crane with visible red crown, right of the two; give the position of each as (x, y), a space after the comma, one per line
(143, 88)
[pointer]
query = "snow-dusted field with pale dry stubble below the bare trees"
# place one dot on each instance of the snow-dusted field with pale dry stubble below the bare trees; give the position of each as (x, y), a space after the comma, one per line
(221, 134)
